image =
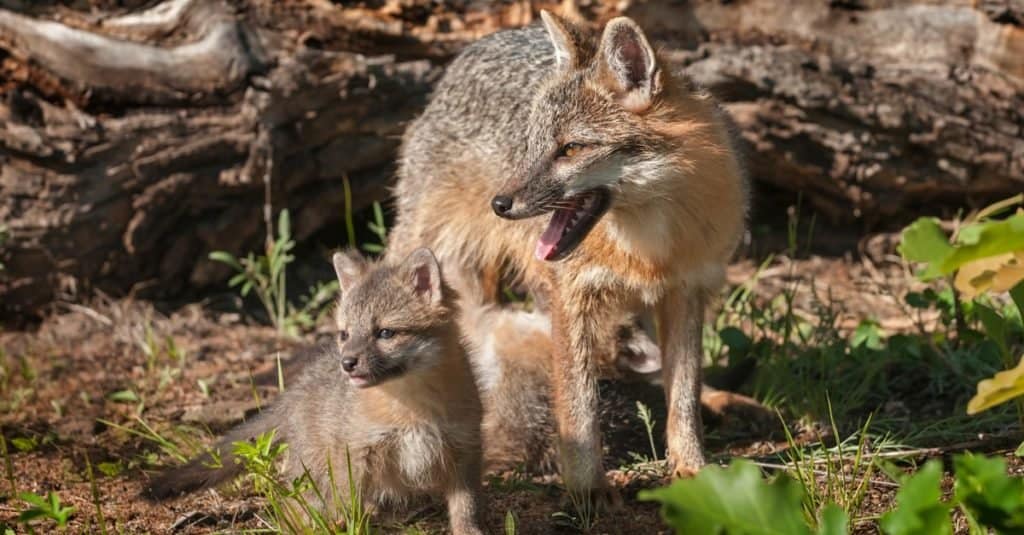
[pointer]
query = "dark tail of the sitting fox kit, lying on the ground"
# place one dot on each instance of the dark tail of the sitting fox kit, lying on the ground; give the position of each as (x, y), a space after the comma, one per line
(211, 469)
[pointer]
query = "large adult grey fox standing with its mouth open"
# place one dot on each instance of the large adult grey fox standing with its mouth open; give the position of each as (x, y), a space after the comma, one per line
(617, 190)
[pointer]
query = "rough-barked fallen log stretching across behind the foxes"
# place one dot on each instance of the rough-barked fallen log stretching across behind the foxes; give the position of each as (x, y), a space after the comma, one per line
(135, 142)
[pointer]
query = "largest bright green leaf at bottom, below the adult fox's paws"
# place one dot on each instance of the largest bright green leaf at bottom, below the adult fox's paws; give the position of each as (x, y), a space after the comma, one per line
(736, 501)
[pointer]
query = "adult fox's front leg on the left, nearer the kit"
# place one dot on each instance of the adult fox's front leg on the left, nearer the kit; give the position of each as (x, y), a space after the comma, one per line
(579, 335)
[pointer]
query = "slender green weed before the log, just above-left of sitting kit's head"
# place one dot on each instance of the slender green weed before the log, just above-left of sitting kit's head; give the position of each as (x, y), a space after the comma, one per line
(267, 277)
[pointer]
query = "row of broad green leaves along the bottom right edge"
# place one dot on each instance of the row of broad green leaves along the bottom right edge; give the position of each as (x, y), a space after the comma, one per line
(738, 501)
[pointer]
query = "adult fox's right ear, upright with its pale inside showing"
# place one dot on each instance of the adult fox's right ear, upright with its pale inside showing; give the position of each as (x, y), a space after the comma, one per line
(629, 67)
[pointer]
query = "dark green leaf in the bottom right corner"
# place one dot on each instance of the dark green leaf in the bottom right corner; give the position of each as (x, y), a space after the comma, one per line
(995, 499)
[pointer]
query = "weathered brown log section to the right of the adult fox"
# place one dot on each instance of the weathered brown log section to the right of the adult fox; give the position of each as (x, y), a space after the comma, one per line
(874, 111)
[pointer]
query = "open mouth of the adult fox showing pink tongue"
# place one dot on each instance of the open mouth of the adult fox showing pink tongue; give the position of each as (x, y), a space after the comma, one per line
(571, 224)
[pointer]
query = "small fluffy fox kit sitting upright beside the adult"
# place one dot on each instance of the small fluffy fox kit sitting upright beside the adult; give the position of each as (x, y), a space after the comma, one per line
(397, 398)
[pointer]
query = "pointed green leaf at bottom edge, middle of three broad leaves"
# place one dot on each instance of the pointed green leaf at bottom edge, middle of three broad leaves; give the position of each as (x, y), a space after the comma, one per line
(920, 508)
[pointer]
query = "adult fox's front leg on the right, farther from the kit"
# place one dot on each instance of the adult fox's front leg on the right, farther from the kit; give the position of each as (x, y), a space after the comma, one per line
(680, 325)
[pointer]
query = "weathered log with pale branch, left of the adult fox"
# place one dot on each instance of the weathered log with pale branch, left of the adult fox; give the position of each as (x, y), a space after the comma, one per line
(136, 200)
